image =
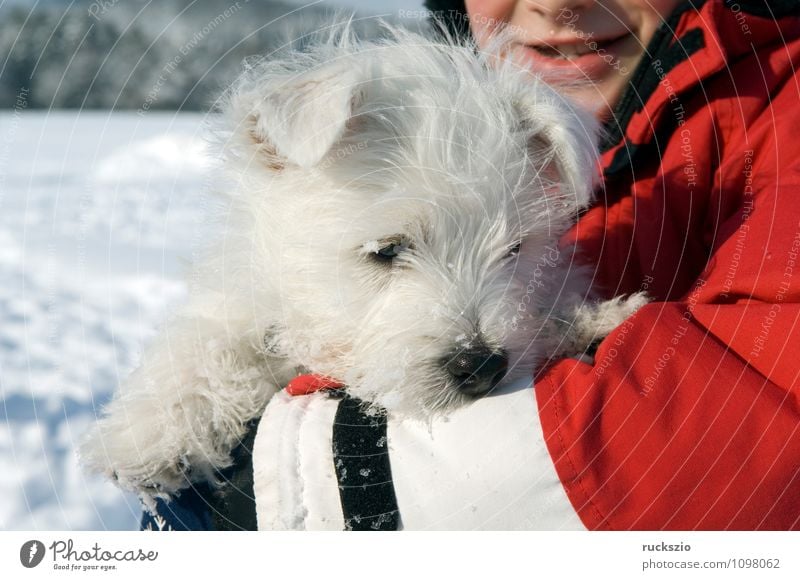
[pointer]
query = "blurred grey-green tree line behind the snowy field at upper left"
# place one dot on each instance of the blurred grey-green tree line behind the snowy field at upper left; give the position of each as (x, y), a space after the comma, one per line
(142, 54)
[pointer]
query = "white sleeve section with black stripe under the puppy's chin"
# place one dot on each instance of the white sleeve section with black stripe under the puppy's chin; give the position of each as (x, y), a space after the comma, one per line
(484, 466)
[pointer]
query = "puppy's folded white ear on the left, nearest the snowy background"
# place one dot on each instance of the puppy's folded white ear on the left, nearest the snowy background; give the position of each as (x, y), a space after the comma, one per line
(302, 116)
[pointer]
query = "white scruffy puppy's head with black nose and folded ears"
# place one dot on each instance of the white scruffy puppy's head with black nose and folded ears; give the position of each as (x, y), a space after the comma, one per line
(400, 205)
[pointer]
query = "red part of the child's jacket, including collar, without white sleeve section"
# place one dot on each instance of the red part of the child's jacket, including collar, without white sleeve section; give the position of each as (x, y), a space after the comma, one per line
(690, 416)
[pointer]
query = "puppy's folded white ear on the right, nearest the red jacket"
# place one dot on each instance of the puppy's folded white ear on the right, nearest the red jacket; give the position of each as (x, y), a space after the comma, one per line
(566, 135)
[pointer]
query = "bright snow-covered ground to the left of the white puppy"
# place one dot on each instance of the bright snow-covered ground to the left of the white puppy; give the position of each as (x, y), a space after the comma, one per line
(97, 211)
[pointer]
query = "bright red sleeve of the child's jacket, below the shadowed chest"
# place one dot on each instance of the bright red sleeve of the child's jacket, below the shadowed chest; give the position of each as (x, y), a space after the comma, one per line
(689, 417)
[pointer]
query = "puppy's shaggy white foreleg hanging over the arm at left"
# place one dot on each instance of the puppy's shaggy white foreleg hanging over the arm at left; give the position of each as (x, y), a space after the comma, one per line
(180, 414)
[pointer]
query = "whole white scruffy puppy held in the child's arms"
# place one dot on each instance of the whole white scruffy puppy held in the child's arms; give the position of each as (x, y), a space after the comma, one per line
(393, 211)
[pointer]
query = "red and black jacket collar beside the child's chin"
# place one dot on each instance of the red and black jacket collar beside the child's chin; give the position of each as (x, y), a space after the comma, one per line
(700, 39)
